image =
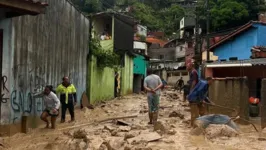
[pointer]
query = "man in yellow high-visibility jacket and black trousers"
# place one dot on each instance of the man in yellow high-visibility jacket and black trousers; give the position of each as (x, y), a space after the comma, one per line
(68, 98)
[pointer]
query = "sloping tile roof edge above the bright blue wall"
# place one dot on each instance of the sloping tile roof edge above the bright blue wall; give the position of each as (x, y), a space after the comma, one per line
(236, 32)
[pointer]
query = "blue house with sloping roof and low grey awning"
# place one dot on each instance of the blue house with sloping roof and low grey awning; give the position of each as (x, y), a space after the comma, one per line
(236, 58)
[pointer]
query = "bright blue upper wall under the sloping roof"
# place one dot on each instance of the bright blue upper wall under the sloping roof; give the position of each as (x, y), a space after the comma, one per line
(239, 46)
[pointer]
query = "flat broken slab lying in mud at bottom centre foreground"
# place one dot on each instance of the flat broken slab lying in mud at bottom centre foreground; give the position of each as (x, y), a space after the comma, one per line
(148, 137)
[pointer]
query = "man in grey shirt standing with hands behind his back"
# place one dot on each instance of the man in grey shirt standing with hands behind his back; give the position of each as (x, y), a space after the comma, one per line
(153, 85)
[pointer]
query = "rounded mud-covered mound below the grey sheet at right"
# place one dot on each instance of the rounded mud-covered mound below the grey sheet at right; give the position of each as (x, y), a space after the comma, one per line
(214, 131)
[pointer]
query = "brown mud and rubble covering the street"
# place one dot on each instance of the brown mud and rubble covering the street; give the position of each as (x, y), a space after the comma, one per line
(171, 133)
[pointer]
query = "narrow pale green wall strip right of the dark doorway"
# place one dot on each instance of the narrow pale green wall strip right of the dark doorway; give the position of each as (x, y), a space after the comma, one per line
(127, 76)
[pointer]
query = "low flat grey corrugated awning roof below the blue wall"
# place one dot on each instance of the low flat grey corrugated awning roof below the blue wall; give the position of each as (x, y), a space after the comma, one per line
(252, 62)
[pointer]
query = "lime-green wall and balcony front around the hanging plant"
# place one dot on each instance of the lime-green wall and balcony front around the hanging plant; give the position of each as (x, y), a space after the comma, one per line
(101, 80)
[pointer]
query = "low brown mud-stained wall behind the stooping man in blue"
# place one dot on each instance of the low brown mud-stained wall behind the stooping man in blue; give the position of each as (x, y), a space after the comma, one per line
(232, 93)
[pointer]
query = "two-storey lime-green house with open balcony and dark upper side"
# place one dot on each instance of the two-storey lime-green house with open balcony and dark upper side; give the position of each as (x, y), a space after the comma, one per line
(116, 28)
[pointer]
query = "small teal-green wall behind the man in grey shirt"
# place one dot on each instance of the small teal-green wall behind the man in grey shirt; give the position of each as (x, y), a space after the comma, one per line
(140, 65)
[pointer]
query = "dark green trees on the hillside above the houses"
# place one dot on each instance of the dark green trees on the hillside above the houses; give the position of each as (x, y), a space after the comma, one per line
(164, 15)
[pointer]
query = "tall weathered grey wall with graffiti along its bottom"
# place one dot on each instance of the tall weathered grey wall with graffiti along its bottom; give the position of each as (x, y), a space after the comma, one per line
(40, 50)
